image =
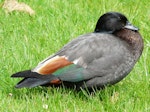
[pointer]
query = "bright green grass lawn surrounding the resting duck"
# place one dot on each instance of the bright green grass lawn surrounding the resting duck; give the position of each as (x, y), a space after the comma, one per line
(26, 40)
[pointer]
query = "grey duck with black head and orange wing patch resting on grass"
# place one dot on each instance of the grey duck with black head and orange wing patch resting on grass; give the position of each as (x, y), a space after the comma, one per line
(93, 60)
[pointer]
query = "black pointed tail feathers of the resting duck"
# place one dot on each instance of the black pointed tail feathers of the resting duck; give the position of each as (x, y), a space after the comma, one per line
(33, 79)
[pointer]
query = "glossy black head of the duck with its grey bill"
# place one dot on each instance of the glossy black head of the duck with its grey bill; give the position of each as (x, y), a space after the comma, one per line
(113, 21)
